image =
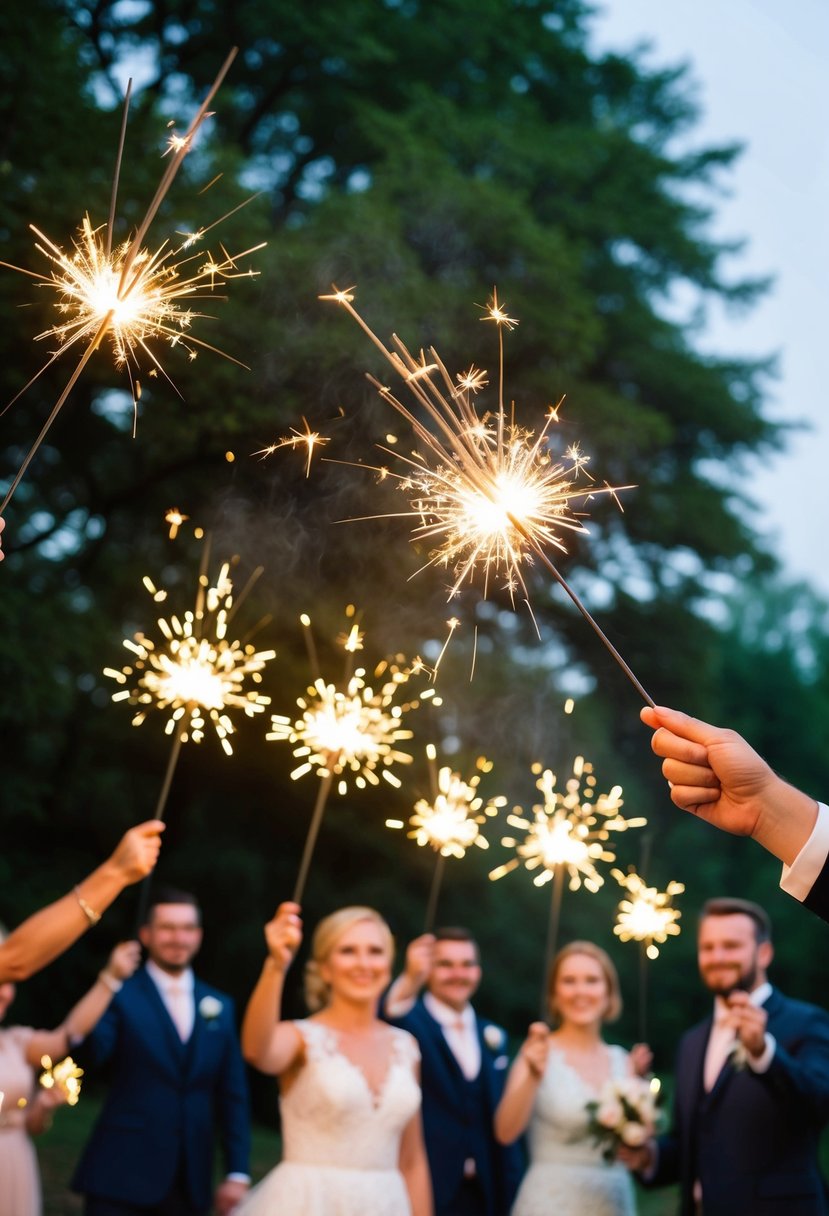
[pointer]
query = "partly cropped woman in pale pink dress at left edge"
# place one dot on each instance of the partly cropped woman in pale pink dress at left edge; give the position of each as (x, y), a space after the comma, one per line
(27, 1111)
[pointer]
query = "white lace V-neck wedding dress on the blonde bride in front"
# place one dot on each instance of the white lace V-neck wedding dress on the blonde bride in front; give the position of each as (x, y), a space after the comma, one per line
(341, 1140)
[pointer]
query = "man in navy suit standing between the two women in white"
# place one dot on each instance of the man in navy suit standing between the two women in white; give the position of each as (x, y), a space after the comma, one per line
(463, 1074)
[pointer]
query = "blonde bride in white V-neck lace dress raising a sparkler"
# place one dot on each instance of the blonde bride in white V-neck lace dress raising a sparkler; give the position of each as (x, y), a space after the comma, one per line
(349, 1083)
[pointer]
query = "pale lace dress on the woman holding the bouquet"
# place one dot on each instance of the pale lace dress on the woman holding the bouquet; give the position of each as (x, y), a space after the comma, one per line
(567, 1174)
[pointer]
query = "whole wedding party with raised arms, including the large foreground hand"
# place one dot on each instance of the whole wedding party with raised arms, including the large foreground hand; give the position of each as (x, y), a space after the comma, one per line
(398, 1099)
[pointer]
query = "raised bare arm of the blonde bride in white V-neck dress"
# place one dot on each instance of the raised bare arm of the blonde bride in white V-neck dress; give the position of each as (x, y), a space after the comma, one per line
(269, 1044)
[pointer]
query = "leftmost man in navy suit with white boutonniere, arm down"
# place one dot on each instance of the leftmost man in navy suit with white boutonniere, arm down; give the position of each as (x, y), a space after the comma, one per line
(177, 1073)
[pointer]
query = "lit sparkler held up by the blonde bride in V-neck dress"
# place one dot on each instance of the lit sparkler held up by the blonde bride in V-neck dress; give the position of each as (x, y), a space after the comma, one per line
(347, 733)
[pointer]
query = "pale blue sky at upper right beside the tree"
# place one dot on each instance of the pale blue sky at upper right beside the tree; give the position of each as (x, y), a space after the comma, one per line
(763, 71)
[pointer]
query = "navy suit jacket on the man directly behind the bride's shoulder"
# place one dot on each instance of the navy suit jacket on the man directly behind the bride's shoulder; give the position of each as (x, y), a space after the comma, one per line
(447, 1127)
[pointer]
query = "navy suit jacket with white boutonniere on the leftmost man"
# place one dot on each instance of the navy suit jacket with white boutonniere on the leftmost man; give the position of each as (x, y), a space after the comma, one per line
(166, 1099)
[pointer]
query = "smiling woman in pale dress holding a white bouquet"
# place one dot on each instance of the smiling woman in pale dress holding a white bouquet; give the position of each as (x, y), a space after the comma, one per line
(551, 1082)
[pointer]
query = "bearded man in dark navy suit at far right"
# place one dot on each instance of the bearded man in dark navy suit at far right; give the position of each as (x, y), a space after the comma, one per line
(752, 1085)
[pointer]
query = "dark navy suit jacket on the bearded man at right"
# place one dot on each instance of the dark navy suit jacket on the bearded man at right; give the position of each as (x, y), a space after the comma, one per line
(753, 1140)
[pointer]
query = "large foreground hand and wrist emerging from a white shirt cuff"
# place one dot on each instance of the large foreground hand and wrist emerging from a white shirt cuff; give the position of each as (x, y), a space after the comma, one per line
(718, 776)
